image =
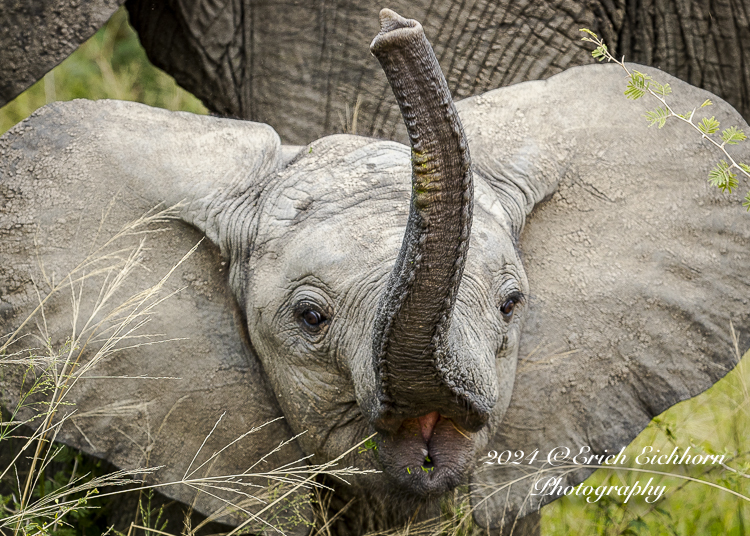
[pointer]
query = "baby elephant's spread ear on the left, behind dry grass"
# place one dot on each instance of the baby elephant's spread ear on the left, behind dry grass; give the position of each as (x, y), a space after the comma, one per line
(102, 290)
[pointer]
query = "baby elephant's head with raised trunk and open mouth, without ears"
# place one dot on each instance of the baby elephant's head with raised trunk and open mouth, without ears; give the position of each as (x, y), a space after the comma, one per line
(417, 355)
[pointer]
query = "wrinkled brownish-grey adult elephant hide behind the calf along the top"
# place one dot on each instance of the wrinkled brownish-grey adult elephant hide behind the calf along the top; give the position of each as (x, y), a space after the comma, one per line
(298, 66)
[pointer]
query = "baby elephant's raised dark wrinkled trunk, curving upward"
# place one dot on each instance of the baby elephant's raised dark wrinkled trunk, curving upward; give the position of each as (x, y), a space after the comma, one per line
(412, 354)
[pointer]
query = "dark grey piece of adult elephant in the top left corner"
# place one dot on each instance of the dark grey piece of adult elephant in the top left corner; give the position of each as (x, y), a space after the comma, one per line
(36, 35)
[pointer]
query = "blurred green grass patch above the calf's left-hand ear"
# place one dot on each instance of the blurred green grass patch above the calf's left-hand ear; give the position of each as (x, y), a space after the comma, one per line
(110, 65)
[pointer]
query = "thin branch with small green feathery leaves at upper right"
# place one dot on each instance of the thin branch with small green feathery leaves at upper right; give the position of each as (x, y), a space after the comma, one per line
(724, 173)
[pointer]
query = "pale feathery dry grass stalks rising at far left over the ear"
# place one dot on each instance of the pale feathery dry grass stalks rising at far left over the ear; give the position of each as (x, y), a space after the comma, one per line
(54, 375)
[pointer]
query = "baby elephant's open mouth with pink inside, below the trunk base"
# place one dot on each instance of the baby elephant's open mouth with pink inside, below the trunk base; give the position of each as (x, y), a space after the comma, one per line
(427, 456)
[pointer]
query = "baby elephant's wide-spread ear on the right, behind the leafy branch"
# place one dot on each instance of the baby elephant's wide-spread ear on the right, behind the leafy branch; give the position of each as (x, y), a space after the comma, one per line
(638, 268)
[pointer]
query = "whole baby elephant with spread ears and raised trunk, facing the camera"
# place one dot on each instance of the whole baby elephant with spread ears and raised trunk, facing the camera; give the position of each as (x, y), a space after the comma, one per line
(560, 275)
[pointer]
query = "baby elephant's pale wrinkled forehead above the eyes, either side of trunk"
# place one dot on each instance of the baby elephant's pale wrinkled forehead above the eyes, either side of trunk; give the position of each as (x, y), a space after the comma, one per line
(340, 210)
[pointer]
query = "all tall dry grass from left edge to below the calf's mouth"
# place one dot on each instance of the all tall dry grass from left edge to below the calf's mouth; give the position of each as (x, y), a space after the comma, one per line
(47, 377)
